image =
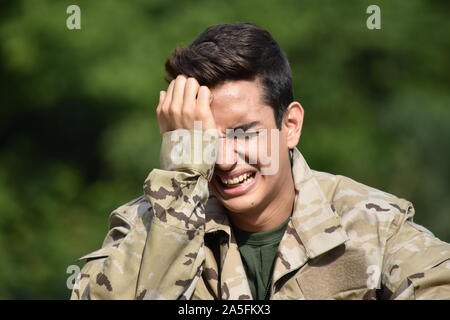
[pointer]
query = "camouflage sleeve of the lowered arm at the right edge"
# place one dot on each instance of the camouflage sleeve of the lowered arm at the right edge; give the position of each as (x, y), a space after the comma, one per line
(416, 263)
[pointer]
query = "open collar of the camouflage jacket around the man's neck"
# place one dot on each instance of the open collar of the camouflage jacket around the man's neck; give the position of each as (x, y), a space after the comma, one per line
(317, 227)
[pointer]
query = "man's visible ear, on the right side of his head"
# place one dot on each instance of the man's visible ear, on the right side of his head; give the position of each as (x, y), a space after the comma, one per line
(292, 124)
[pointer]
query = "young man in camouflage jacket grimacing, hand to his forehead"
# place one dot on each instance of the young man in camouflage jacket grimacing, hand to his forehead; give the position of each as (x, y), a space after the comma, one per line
(247, 218)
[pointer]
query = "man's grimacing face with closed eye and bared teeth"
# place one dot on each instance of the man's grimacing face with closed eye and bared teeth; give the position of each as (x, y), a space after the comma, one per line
(250, 171)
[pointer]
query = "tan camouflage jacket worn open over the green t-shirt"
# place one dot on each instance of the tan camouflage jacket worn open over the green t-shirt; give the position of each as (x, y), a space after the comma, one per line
(345, 240)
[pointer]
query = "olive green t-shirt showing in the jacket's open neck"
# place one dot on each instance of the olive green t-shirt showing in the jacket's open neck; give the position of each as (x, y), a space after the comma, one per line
(258, 251)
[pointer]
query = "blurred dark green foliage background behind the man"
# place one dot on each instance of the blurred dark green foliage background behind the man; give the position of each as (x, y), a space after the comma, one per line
(78, 133)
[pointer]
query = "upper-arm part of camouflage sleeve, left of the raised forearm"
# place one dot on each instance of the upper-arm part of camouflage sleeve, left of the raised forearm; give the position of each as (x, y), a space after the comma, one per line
(111, 272)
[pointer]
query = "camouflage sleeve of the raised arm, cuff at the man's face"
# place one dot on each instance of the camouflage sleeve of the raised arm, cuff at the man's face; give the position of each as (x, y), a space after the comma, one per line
(159, 254)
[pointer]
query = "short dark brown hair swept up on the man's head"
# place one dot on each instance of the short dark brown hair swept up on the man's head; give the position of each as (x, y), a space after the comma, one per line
(237, 51)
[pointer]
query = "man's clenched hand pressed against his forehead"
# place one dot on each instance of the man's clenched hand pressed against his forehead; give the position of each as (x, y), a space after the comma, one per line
(184, 102)
